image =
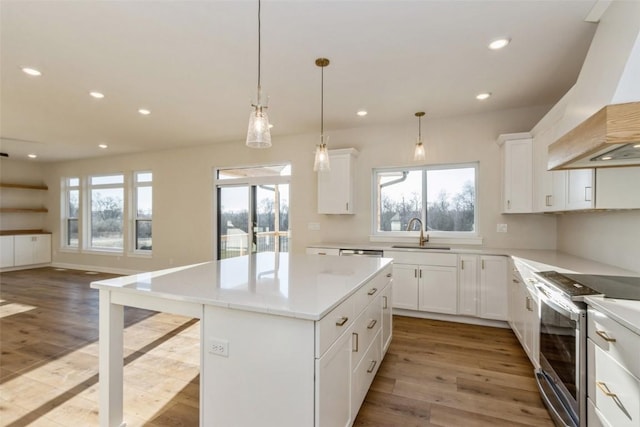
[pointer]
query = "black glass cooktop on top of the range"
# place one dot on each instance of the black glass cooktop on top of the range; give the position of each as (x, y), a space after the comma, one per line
(580, 285)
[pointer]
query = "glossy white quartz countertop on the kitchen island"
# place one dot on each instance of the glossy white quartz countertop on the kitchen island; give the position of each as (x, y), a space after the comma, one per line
(300, 286)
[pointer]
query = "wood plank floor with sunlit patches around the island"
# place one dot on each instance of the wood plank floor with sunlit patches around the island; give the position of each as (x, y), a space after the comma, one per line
(435, 374)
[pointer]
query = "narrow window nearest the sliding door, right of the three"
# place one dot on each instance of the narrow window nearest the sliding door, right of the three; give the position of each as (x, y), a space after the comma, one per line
(143, 198)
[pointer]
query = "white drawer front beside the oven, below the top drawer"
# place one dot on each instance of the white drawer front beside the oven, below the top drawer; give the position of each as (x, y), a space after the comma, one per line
(613, 390)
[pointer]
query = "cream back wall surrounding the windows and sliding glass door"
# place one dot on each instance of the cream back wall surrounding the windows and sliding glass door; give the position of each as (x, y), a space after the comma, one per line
(183, 217)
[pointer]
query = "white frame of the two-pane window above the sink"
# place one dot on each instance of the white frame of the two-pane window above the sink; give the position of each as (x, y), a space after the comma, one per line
(458, 237)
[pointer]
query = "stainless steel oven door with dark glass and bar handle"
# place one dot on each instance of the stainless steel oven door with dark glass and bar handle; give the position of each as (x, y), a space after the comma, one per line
(561, 377)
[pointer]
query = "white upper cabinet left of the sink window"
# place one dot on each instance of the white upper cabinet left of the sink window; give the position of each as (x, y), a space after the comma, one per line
(335, 187)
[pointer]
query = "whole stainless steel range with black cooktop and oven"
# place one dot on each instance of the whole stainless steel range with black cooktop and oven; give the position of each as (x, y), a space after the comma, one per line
(562, 375)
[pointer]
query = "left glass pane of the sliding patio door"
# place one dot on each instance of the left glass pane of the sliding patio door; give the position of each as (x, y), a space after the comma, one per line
(233, 214)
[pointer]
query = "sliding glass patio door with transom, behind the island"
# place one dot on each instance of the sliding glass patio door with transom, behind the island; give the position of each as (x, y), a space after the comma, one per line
(252, 210)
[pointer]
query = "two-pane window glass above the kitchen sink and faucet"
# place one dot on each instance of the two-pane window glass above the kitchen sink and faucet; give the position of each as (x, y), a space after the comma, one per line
(443, 197)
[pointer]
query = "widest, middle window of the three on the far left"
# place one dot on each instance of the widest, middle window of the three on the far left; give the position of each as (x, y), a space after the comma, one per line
(106, 199)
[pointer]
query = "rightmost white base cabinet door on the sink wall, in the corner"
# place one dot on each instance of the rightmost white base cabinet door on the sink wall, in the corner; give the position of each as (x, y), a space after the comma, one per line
(493, 287)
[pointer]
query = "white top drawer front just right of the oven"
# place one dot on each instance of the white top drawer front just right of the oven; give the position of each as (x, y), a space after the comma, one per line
(614, 339)
